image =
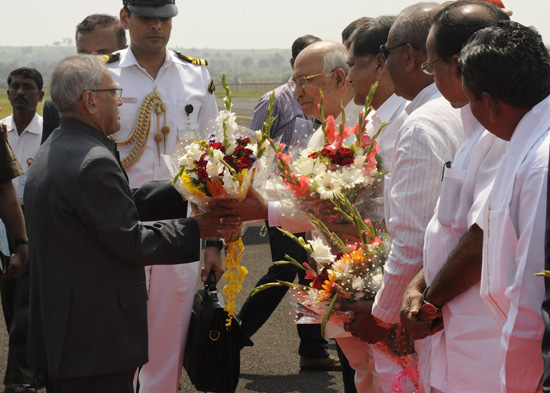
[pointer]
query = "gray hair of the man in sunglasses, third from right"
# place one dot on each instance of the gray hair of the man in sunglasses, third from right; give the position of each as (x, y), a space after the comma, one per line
(413, 24)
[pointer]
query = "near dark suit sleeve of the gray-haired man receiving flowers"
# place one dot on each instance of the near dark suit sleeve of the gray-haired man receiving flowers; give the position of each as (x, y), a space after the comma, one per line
(105, 206)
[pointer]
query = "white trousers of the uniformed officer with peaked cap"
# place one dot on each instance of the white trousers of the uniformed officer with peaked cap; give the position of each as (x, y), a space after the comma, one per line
(171, 292)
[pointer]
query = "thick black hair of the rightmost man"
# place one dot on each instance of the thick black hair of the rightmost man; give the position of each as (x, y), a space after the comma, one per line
(509, 62)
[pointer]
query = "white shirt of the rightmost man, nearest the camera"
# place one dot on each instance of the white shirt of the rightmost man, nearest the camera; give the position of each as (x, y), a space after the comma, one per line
(514, 224)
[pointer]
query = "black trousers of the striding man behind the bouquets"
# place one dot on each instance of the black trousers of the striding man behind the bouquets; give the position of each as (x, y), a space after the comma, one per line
(258, 308)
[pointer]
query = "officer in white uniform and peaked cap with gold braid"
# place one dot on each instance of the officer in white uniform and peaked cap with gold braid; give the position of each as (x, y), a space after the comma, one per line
(183, 85)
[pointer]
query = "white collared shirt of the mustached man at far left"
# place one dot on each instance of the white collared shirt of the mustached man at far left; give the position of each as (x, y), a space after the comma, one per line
(24, 147)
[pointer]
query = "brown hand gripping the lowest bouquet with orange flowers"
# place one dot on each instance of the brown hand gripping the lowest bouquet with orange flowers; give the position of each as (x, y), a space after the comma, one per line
(364, 325)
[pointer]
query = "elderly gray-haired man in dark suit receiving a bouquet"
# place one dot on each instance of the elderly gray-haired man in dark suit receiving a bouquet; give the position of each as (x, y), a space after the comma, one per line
(89, 243)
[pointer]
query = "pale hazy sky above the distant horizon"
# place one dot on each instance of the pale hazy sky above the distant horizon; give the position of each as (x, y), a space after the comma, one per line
(237, 24)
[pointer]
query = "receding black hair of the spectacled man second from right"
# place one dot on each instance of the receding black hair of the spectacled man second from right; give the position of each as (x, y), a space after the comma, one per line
(453, 27)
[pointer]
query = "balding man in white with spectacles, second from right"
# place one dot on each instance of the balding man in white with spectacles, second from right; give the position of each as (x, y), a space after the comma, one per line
(469, 342)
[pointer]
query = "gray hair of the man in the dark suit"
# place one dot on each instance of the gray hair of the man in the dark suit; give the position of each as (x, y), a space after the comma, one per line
(72, 77)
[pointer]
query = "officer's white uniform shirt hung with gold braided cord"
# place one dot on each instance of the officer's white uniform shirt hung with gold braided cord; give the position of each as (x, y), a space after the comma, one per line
(179, 84)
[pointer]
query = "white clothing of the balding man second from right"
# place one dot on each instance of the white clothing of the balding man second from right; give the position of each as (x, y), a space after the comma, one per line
(469, 343)
